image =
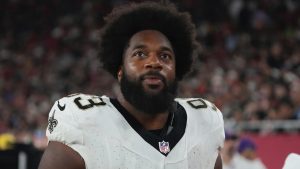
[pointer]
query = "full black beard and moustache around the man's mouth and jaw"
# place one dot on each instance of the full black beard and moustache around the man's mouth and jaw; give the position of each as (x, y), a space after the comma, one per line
(149, 103)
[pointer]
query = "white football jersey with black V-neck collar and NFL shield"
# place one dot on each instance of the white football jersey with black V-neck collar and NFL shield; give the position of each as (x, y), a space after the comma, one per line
(106, 138)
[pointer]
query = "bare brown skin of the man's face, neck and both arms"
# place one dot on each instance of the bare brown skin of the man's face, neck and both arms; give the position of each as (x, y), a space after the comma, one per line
(148, 50)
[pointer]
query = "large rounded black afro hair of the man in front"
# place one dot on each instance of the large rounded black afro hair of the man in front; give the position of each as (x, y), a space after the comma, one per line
(123, 22)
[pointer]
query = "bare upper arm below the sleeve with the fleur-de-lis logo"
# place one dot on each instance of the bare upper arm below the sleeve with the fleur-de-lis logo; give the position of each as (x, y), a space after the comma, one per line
(59, 156)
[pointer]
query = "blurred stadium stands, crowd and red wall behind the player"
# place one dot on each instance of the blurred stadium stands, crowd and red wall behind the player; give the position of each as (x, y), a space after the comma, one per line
(248, 64)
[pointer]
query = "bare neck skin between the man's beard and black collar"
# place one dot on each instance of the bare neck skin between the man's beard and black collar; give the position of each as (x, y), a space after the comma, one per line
(149, 122)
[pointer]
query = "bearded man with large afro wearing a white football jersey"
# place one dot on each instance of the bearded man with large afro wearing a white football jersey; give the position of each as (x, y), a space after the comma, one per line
(148, 47)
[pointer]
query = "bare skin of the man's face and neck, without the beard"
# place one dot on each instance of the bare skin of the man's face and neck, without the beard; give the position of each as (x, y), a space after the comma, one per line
(148, 50)
